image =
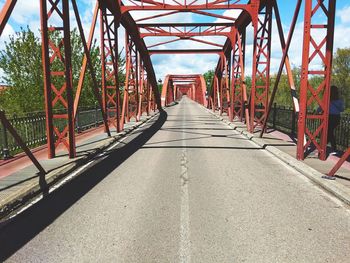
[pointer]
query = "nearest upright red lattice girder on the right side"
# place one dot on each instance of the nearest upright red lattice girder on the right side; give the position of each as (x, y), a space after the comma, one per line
(317, 61)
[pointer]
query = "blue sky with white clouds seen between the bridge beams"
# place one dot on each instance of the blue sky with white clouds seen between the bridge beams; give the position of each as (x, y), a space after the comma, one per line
(26, 13)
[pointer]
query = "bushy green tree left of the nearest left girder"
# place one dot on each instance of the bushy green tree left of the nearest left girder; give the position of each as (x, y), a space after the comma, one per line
(21, 64)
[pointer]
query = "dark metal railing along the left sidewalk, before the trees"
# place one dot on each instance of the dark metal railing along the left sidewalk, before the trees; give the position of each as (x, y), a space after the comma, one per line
(32, 129)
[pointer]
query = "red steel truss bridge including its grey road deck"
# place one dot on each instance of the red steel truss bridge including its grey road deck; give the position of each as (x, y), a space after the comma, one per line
(181, 167)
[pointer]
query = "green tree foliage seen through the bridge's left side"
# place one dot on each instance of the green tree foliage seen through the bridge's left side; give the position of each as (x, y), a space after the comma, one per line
(22, 67)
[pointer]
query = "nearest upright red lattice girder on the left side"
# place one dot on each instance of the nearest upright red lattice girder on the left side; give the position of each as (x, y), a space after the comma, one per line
(57, 76)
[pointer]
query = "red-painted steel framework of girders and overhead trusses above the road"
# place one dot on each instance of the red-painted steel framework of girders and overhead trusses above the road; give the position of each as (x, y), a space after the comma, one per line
(228, 92)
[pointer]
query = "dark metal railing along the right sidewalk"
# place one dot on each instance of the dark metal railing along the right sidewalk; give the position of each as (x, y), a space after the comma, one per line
(284, 119)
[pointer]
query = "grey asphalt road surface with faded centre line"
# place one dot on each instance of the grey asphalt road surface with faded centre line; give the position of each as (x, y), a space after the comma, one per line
(183, 188)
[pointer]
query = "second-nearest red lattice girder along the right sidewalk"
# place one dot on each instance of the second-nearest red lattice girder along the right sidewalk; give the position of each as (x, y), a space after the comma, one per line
(262, 23)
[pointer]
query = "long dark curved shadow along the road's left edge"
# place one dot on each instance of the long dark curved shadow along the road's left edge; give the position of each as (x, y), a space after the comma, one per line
(24, 227)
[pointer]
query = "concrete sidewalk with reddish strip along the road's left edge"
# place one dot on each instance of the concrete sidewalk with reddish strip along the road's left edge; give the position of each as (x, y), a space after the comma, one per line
(19, 178)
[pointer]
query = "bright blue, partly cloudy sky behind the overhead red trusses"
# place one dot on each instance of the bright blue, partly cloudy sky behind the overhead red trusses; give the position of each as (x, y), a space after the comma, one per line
(27, 13)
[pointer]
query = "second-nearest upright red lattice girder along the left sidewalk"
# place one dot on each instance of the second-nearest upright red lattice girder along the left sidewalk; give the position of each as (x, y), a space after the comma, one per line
(109, 24)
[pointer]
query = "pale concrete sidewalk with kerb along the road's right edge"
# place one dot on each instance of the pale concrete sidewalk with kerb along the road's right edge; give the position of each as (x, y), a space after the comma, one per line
(284, 147)
